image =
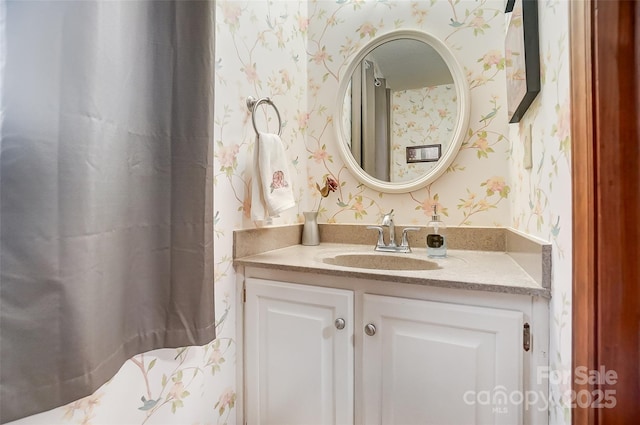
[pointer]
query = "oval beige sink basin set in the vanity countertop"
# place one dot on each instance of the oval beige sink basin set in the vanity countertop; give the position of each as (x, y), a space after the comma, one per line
(380, 262)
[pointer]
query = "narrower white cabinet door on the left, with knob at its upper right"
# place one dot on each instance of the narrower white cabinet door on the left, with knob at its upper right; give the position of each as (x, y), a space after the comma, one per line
(299, 365)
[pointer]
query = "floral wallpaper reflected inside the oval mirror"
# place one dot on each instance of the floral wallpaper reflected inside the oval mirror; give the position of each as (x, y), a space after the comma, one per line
(420, 117)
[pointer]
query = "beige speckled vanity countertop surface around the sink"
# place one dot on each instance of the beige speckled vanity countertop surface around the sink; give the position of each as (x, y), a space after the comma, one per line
(493, 271)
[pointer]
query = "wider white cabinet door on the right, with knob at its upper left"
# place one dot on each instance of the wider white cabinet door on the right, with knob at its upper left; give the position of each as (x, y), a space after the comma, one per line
(438, 363)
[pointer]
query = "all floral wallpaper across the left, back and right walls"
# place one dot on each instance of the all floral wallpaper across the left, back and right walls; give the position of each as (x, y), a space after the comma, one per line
(296, 52)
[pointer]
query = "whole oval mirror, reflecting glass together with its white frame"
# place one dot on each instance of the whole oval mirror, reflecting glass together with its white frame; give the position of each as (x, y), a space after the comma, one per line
(403, 109)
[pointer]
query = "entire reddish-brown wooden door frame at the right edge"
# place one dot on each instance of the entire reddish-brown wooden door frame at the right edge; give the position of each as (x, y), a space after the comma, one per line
(605, 79)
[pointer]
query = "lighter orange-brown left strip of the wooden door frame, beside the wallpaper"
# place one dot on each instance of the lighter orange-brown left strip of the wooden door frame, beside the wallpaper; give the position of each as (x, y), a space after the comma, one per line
(583, 200)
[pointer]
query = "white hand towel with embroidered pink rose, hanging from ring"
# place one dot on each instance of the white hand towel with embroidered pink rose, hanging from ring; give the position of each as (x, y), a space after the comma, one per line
(271, 189)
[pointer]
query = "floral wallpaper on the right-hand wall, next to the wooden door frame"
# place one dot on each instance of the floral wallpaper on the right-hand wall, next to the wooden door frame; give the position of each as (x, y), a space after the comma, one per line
(541, 196)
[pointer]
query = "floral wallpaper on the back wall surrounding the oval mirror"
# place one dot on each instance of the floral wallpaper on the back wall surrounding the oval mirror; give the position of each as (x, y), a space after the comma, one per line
(475, 188)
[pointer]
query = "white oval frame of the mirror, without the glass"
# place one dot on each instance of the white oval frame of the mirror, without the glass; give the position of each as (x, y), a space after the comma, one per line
(464, 106)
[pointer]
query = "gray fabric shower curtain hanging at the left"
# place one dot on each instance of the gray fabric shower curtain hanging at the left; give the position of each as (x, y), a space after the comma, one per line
(106, 191)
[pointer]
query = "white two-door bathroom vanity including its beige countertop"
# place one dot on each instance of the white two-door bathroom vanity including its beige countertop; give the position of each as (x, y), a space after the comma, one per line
(464, 340)
